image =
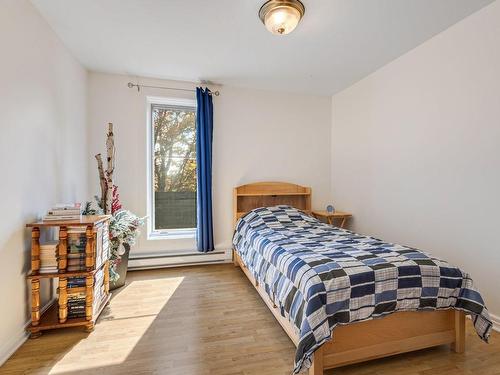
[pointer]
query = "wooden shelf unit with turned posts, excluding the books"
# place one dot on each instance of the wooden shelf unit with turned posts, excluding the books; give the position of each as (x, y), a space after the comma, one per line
(95, 272)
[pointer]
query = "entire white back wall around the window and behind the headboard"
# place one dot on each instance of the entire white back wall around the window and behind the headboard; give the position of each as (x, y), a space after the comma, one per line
(258, 135)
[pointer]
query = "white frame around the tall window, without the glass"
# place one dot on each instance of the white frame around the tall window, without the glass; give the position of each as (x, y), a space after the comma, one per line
(160, 234)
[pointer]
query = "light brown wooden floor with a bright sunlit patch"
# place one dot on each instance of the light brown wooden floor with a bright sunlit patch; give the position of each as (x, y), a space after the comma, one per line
(209, 320)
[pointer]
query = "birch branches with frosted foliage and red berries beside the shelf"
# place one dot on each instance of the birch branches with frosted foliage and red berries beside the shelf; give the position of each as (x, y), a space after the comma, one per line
(123, 225)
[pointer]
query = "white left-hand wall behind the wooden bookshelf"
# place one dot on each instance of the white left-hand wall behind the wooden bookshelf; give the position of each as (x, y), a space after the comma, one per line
(43, 145)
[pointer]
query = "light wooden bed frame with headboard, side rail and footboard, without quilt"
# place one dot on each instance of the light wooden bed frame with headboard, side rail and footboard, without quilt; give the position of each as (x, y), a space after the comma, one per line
(397, 333)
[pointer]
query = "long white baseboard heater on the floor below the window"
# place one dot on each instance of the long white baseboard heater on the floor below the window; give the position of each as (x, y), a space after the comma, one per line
(170, 259)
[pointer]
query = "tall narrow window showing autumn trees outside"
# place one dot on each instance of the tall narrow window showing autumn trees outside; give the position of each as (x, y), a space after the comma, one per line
(172, 125)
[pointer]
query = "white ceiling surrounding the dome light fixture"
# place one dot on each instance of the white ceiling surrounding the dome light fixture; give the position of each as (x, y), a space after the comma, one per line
(337, 43)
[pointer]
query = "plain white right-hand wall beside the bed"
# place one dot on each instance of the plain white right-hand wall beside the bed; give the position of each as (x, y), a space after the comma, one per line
(416, 149)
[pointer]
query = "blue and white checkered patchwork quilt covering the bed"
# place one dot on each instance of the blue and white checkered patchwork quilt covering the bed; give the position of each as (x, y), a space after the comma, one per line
(321, 276)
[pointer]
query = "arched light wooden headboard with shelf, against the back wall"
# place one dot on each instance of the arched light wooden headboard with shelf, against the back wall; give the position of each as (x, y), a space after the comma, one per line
(265, 194)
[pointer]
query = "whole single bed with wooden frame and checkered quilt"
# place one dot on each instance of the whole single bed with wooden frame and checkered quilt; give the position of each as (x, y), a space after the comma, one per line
(344, 298)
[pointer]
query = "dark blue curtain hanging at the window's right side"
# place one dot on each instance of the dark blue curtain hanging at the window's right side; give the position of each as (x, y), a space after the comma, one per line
(204, 135)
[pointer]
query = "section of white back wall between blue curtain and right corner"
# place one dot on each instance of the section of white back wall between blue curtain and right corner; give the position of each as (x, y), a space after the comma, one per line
(268, 136)
